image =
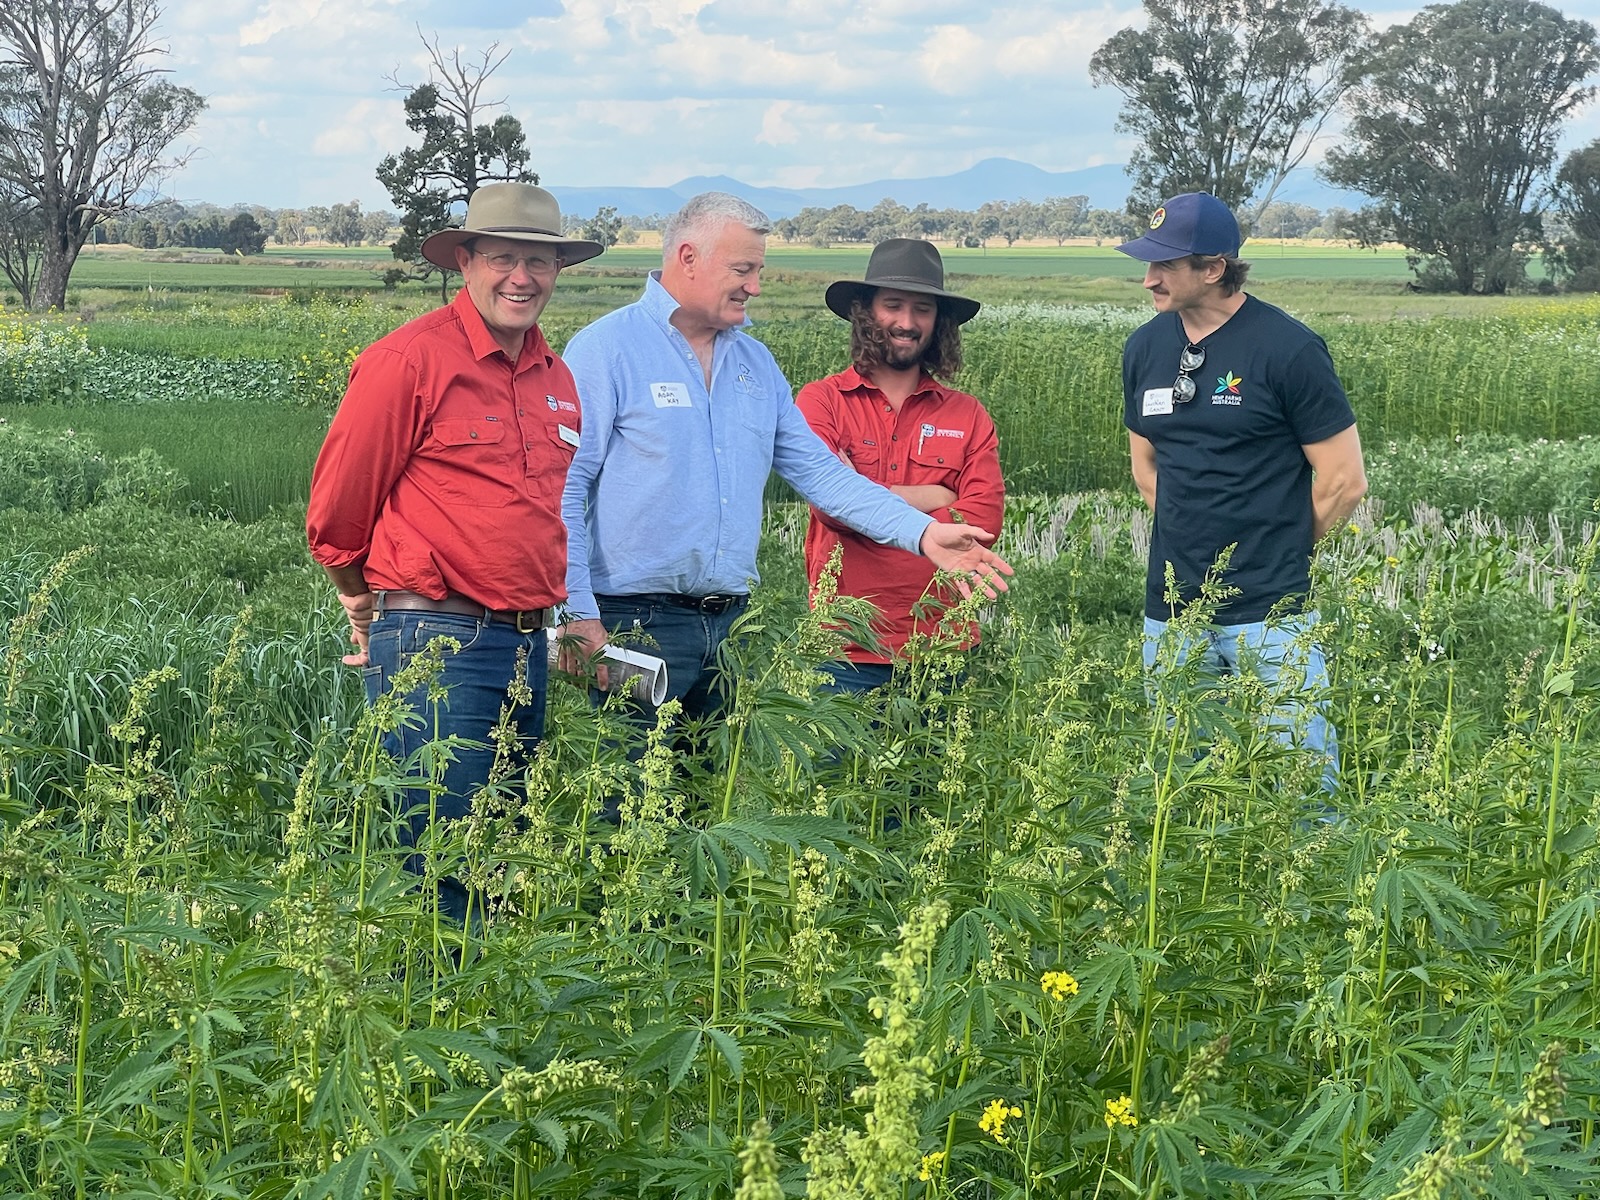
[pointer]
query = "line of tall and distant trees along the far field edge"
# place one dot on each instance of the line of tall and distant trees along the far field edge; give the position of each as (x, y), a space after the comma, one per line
(1452, 124)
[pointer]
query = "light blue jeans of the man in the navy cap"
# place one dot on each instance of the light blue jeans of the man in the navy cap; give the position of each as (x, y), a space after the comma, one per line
(1268, 650)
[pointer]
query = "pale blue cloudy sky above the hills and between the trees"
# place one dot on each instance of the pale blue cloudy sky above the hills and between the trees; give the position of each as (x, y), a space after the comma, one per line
(650, 92)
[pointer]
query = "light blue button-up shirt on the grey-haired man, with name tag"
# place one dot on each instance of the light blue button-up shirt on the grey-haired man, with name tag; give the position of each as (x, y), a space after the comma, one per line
(665, 494)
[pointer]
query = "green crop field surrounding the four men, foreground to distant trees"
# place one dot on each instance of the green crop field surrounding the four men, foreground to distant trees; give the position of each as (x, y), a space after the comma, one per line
(1038, 932)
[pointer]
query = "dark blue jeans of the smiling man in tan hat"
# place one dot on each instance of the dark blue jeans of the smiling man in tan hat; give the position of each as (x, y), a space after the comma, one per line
(478, 681)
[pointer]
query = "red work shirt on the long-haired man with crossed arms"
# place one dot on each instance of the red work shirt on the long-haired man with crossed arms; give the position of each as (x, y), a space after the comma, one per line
(938, 436)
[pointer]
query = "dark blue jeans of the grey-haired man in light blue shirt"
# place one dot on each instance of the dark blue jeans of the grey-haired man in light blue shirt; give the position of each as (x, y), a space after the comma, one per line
(687, 639)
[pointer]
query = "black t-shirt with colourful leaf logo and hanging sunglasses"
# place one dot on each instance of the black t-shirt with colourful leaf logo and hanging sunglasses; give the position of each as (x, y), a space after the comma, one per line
(1230, 465)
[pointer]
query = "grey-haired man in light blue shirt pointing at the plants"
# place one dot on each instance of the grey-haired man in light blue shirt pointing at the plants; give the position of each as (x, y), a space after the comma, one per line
(686, 415)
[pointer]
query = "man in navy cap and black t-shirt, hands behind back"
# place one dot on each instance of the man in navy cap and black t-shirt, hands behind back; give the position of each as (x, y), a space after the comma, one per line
(1236, 410)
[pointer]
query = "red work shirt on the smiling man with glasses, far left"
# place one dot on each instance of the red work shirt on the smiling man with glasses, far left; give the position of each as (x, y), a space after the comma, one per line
(444, 466)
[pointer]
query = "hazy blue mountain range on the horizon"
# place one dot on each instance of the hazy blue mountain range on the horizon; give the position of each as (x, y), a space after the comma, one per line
(991, 180)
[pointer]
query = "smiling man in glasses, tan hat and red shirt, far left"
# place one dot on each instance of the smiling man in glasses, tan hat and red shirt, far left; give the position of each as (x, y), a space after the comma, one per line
(436, 505)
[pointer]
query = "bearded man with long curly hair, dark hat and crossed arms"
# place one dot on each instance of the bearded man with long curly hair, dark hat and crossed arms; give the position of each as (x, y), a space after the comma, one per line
(890, 418)
